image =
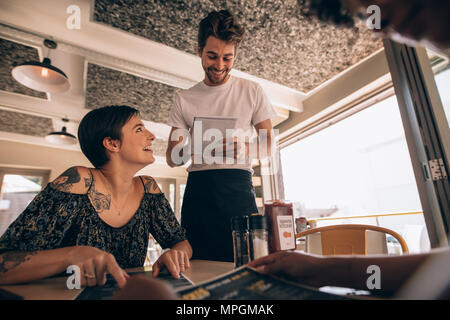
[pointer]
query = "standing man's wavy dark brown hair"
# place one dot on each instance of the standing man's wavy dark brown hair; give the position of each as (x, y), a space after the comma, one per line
(221, 25)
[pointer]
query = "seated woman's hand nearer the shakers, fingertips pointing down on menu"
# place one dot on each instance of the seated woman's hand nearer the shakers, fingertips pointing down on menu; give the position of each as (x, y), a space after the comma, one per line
(174, 260)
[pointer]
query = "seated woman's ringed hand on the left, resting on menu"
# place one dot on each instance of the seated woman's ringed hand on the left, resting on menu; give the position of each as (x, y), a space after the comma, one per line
(94, 264)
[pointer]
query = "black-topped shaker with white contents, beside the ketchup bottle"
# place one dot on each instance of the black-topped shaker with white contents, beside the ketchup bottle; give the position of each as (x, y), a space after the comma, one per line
(259, 236)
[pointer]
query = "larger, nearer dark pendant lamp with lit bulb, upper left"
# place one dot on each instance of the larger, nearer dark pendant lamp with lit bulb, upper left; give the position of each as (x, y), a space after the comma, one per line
(42, 76)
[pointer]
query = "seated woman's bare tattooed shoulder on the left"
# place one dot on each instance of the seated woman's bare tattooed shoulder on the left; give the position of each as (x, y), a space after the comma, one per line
(76, 180)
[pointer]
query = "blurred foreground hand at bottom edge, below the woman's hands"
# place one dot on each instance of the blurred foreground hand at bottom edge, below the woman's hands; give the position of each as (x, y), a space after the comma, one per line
(144, 288)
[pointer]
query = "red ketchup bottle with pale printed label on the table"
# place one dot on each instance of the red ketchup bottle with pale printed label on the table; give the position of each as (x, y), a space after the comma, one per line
(281, 225)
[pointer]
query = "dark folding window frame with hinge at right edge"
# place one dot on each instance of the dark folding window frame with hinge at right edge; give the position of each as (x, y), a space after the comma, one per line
(426, 130)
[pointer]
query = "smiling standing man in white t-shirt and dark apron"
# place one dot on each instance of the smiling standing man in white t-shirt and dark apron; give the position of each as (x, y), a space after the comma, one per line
(217, 191)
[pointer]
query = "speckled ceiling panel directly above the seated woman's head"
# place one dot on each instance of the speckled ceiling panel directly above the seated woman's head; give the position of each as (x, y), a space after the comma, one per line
(110, 87)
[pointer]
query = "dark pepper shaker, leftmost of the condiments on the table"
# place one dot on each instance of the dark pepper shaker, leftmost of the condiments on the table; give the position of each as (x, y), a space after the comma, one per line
(241, 245)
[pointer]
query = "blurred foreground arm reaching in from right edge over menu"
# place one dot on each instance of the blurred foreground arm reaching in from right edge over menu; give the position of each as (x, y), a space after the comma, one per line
(343, 271)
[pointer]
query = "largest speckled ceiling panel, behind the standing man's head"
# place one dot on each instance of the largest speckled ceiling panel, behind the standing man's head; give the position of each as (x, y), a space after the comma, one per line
(280, 44)
